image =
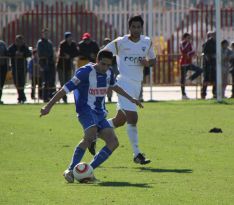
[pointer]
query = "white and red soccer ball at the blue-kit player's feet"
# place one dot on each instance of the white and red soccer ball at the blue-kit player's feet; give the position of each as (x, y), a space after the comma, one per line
(83, 172)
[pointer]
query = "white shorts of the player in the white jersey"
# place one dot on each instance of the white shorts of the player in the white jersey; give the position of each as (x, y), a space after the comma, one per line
(133, 88)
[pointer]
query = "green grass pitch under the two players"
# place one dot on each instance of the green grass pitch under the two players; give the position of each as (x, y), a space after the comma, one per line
(189, 164)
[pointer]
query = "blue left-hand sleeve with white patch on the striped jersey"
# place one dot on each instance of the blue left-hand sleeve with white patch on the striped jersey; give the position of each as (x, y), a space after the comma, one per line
(80, 76)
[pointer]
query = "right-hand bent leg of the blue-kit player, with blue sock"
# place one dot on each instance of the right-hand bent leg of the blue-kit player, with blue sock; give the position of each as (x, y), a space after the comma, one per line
(112, 143)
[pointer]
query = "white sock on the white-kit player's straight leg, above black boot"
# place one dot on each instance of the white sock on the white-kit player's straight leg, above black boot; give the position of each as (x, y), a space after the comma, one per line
(133, 137)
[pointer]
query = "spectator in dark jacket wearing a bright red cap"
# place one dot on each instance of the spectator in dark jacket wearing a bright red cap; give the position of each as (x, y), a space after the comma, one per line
(88, 50)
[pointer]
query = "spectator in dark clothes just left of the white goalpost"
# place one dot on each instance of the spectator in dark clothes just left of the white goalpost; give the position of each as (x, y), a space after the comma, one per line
(209, 64)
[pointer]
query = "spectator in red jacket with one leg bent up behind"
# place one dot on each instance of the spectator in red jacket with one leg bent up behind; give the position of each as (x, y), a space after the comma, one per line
(187, 53)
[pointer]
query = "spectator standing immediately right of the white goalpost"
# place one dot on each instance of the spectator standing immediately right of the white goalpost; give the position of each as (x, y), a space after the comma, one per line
(226, 55)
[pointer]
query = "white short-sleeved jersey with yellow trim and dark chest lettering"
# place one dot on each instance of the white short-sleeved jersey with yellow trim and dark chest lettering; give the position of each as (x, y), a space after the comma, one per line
(129, 54)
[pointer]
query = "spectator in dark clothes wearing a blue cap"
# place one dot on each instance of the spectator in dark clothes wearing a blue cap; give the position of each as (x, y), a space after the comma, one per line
(67, 51)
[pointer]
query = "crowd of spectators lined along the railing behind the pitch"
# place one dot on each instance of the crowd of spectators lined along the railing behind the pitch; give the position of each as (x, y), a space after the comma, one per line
(42, 66)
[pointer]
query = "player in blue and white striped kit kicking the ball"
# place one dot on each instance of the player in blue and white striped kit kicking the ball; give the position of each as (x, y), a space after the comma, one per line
(90, 84)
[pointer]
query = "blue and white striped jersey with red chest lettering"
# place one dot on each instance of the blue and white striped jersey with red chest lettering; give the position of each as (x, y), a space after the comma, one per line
(90, 88)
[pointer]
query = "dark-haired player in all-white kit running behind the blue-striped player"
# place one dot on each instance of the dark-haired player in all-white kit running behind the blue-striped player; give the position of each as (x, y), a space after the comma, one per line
(133, 52)
